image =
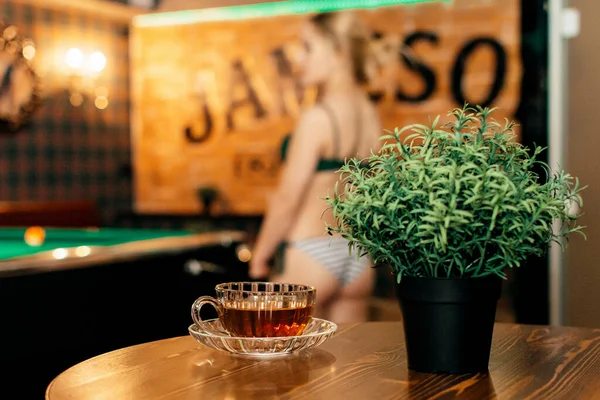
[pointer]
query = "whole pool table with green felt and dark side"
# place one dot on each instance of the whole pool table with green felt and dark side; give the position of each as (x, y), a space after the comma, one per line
(83, 292)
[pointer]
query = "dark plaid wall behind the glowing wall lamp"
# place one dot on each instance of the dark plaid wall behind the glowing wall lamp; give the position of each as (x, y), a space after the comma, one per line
(70, 153)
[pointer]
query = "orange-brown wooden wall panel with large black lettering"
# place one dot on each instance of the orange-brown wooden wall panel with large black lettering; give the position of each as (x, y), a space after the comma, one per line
(200, 76)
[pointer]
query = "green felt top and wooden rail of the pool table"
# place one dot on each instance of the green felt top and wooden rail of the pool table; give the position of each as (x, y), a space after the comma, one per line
(75, 248)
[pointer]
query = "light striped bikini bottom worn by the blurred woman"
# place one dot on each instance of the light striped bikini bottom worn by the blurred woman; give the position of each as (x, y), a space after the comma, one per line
(333, 254)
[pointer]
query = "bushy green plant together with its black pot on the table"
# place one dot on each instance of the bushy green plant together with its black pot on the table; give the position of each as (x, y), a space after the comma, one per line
(449, 209)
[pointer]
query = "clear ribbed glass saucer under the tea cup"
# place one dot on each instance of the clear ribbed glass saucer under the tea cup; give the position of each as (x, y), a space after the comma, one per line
(211, 333)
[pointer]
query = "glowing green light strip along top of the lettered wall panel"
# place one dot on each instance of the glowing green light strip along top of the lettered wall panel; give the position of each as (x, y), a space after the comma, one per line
(262, 10)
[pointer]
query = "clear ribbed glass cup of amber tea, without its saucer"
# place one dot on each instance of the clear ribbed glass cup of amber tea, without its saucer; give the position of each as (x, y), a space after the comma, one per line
(260, 309)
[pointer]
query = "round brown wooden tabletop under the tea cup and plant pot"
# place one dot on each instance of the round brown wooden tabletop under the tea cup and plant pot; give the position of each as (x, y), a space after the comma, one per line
(365, 361)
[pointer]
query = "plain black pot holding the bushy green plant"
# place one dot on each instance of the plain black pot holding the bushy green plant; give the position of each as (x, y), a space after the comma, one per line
(448, 323)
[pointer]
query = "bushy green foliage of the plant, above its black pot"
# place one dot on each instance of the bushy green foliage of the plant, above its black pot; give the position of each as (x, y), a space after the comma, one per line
(460, 200)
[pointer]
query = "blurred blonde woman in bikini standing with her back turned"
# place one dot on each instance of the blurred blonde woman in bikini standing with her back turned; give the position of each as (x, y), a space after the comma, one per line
(341, 125)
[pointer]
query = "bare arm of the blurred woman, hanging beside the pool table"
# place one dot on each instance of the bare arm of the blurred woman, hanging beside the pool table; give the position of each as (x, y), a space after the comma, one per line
(303, 156)
